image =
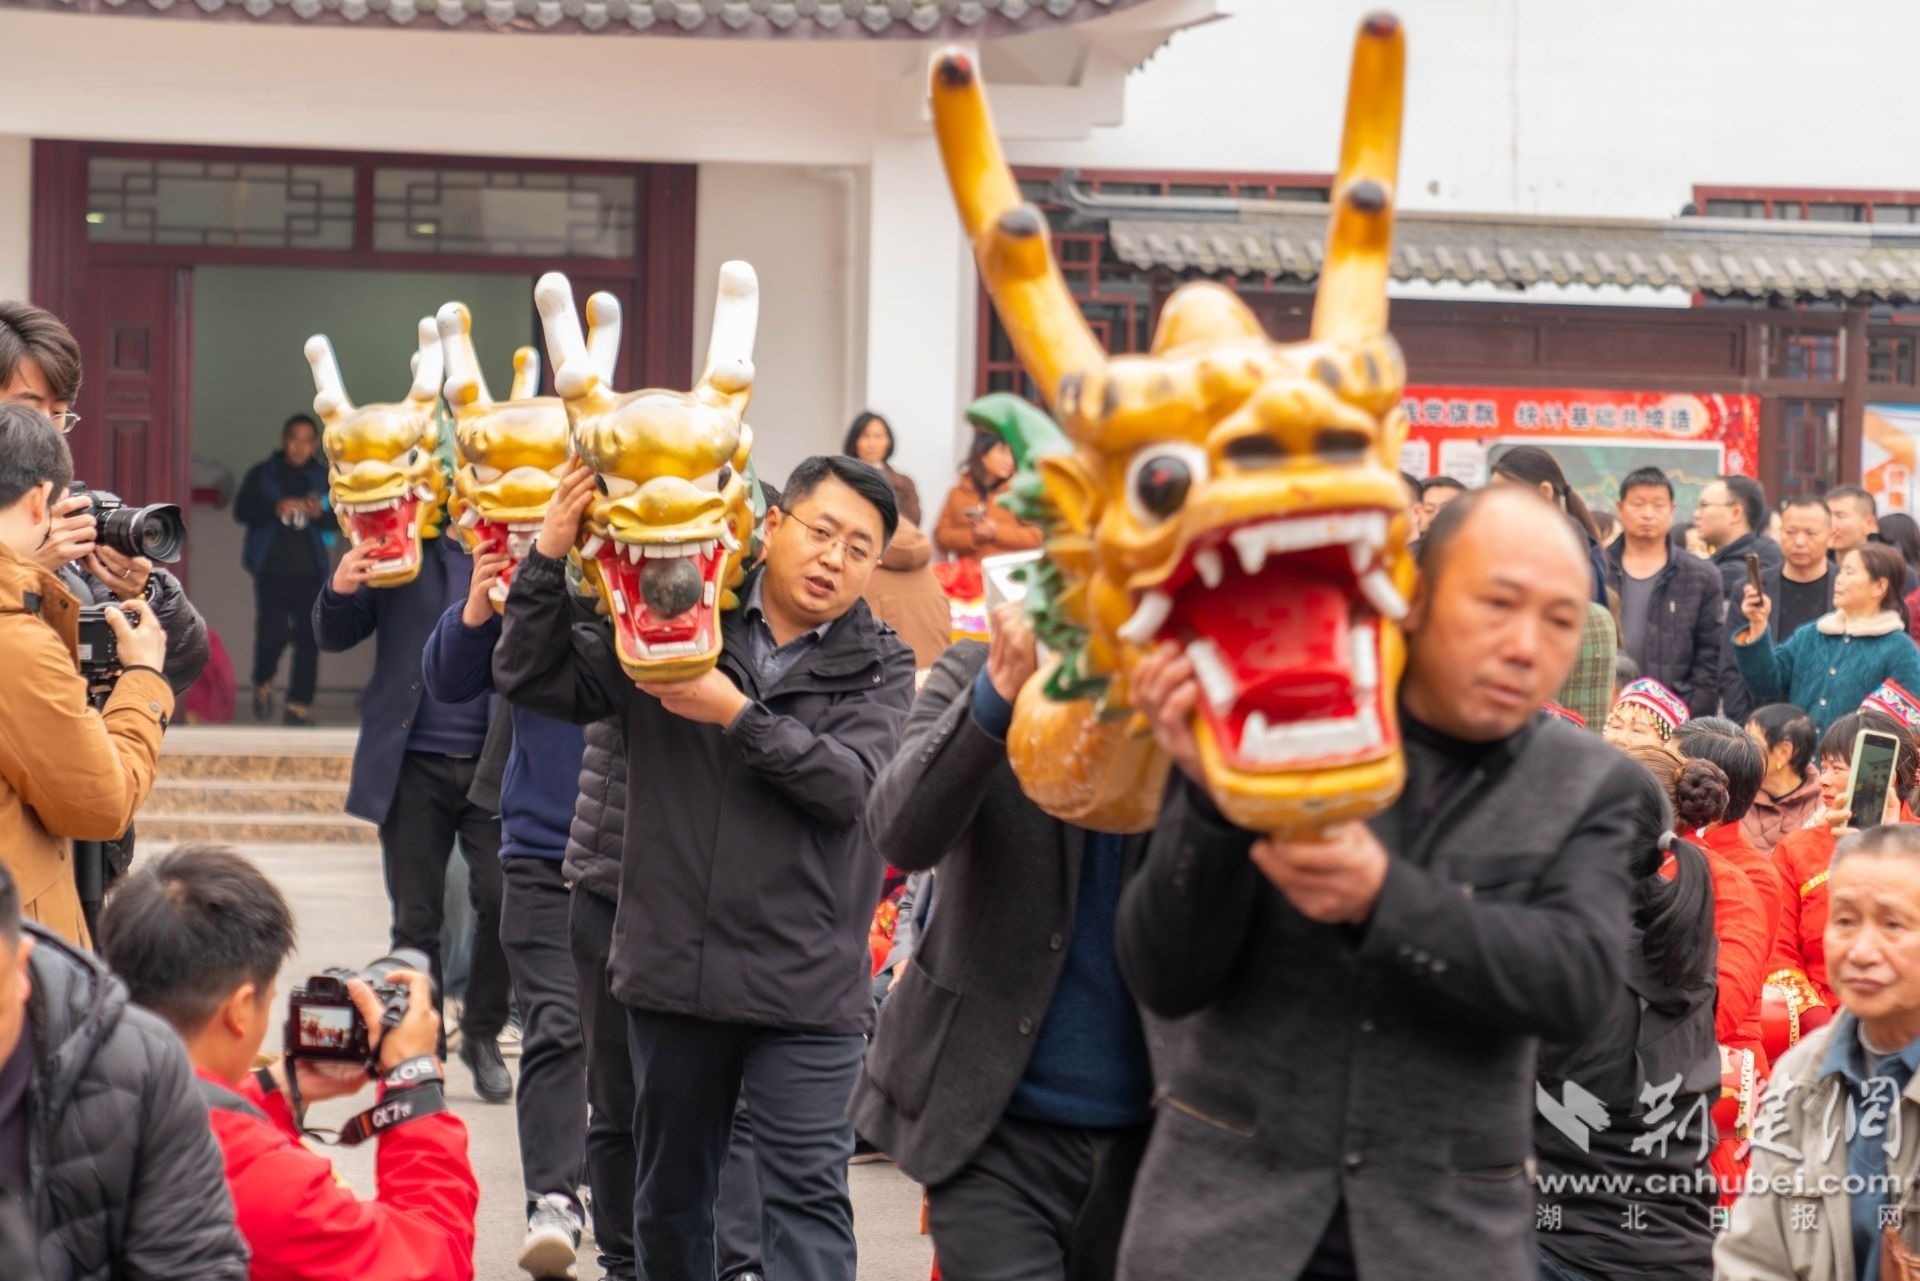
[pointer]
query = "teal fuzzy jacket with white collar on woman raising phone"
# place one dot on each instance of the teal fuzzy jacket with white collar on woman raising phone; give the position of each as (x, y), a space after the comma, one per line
(1825, 671)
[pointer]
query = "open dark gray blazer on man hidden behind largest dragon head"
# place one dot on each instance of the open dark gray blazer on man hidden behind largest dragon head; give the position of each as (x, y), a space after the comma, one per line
(957, 1030)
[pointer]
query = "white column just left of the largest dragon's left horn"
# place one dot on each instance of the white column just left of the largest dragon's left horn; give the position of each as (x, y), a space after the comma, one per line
(921, 314)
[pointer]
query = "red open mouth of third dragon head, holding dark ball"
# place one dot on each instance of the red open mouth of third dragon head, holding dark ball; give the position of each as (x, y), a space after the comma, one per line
(665, 596)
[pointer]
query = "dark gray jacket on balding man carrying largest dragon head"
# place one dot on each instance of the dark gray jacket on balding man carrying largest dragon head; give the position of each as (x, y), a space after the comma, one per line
(1383, 1067)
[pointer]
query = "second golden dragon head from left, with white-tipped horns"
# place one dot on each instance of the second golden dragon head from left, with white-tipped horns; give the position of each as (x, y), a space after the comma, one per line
(510, 454)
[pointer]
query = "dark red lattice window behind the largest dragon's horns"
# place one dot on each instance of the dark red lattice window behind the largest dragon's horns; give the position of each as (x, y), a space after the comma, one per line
(1115, 297)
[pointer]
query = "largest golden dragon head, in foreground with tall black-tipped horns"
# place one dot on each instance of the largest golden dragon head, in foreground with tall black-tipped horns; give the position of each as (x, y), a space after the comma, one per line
(1230, 495)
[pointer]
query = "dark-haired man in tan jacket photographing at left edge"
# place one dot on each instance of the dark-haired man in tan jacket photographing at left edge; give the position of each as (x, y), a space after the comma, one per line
(66, 771)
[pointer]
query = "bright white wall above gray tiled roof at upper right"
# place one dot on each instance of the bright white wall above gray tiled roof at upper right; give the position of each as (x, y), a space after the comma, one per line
(1541, 105)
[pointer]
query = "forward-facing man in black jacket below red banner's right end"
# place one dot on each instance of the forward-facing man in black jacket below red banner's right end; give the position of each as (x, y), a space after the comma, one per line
(1671, 602)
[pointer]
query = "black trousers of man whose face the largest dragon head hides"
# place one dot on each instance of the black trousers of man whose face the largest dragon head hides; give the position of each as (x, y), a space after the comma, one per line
(1038, 1203)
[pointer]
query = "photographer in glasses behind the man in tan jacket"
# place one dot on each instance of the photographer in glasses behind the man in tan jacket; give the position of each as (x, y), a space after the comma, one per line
(41, 368)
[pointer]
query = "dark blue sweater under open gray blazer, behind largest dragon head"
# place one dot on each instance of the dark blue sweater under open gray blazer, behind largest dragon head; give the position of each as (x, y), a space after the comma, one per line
(1090, 1059)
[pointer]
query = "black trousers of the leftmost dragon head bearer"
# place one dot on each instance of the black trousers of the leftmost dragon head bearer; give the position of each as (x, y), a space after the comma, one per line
(431, 810)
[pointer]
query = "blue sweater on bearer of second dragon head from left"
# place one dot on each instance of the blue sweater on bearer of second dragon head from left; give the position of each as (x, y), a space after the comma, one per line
(542, 779)
